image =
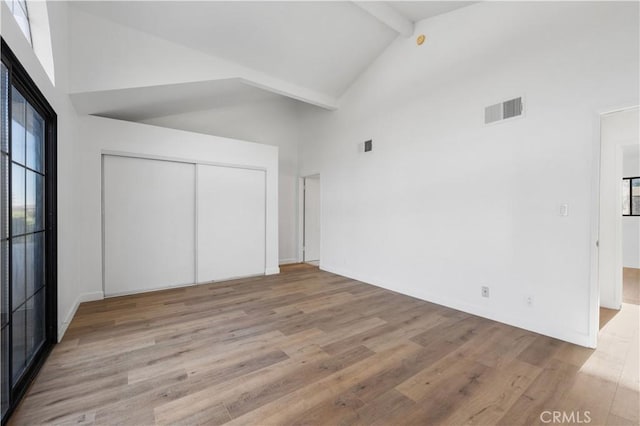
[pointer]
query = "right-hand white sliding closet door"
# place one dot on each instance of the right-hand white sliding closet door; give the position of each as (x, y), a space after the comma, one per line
(231, 222)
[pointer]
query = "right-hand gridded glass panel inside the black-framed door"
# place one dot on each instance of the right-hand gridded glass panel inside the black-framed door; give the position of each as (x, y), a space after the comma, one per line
(27, 233)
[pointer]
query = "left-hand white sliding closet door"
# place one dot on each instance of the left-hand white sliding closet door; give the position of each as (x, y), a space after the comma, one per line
(149, 223)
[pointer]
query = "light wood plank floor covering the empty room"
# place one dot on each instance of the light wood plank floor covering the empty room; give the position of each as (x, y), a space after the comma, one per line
(309, 347)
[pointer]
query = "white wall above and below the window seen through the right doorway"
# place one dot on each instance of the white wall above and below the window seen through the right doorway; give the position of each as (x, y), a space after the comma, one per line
(631, 225)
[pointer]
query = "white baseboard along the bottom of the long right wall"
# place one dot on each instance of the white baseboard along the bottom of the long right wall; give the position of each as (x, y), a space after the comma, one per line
(540, 328)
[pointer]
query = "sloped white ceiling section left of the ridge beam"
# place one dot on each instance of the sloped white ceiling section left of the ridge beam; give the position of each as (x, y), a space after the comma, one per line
(323, 46)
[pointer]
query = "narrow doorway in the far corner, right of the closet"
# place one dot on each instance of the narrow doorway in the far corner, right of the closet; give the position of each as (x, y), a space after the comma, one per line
(311, 220)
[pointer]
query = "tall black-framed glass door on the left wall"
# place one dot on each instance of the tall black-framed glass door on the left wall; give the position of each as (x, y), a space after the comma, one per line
(28, 232)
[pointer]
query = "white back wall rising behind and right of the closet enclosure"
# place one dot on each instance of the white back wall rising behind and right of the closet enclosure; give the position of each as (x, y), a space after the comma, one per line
(273, 123)
